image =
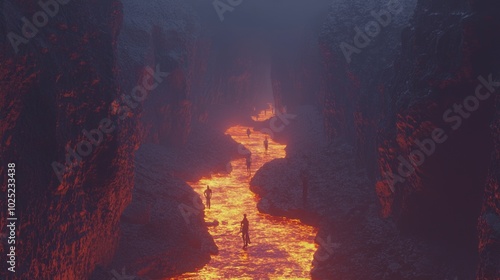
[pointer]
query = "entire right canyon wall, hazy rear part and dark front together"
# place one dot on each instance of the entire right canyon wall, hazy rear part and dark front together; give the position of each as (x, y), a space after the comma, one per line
(427, 123)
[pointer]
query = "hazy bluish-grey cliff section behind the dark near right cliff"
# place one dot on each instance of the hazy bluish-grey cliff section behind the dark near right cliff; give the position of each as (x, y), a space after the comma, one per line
(358, 67)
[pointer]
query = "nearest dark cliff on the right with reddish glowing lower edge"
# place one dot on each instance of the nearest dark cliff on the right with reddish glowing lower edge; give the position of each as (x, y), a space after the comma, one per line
(448, 57)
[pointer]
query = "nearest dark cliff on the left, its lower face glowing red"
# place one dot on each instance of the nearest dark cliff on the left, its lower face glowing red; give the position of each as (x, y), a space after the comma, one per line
(60, 82)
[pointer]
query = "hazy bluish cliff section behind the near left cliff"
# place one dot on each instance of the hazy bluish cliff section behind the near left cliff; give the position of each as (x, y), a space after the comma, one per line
(159, 35)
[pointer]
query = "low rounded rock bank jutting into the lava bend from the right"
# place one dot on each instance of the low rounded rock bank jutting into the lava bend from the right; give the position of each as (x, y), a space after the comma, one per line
(279, 182)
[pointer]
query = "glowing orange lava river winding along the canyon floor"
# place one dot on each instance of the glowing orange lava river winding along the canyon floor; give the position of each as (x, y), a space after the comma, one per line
(280, 248)
